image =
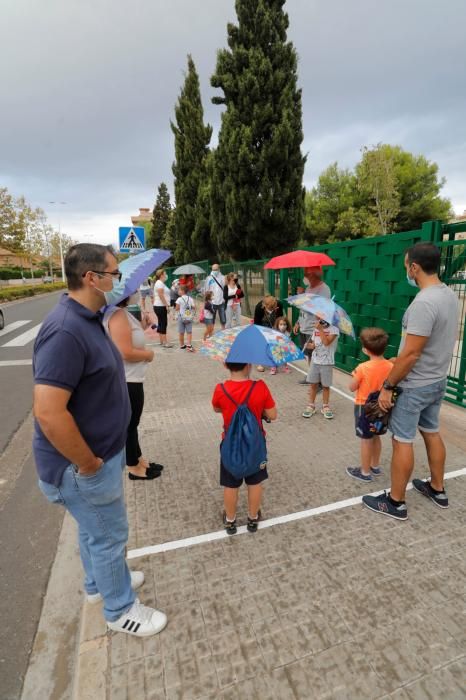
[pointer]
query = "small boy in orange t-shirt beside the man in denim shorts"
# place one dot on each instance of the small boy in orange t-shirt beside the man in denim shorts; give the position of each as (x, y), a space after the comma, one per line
(367, 378)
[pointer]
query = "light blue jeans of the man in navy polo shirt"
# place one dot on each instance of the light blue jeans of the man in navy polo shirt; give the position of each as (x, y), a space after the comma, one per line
(97, 504)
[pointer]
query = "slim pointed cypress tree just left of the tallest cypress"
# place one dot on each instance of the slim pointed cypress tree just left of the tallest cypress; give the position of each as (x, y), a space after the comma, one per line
(192, 140)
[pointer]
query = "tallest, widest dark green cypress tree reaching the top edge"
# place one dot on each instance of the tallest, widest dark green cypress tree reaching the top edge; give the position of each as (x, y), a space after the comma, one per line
(257, 195)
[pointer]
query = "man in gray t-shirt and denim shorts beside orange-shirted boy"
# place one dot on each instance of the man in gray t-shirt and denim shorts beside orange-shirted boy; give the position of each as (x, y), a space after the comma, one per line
(429, 334)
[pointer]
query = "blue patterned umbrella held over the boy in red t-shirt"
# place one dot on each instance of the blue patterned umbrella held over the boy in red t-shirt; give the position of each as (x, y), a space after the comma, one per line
(252, 344)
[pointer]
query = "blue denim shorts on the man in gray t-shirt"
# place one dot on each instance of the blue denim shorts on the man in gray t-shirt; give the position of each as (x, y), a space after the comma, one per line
(415, 408)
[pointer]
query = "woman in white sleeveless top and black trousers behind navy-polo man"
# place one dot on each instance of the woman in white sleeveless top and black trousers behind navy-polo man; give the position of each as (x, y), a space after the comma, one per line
(128, 335)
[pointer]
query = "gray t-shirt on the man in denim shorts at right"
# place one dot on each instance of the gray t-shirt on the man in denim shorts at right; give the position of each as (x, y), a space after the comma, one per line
(432, 314)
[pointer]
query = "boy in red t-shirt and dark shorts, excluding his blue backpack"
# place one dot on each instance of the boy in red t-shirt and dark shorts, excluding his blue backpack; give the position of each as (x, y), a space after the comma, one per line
(262, 405)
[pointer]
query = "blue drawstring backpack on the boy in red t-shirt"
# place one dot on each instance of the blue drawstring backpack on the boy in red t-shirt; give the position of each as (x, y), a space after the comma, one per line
(243, 450)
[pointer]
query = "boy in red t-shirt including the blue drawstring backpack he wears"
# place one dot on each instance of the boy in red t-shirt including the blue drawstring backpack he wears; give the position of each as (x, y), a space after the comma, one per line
(243, 404)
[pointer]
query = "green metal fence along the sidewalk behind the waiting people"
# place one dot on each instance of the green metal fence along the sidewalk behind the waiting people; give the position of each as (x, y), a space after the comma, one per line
(369, 281)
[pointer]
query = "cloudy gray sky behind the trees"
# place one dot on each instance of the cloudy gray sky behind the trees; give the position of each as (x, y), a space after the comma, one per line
(88, 89)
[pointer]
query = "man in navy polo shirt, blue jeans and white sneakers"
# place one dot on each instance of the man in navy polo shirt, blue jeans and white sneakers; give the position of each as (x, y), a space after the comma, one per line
(82, 411)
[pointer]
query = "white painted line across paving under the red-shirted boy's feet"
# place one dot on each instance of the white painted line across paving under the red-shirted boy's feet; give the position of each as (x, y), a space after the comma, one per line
(280, 520)
